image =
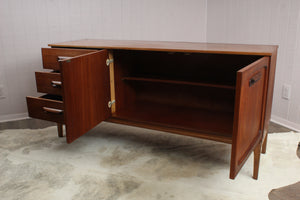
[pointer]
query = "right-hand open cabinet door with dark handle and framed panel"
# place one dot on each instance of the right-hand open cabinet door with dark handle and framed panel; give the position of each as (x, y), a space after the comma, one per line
(248, 113)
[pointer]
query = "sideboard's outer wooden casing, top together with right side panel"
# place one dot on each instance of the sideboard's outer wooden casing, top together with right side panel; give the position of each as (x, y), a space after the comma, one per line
(236, 49)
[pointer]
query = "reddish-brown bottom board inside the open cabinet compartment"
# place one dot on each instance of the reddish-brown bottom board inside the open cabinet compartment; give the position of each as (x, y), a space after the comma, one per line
(203, 123)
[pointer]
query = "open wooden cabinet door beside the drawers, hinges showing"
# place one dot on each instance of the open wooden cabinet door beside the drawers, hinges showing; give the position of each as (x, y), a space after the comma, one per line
(86, 92)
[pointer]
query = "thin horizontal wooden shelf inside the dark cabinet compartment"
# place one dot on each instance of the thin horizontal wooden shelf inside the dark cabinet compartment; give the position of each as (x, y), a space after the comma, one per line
(230, 87)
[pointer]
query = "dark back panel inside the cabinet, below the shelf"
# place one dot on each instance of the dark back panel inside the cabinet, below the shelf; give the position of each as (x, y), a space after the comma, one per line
(213, 99)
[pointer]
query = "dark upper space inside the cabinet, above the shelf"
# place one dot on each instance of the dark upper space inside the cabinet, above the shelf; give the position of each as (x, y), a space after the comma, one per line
(197, 67)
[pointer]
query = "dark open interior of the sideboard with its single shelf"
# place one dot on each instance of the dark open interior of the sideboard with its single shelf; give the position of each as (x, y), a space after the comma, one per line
(190, 91)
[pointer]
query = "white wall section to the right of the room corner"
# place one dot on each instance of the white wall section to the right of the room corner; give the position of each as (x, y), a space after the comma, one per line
(264, 22)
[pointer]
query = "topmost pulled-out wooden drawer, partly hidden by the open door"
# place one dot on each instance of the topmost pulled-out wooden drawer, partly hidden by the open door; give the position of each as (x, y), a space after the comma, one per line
(50, 56)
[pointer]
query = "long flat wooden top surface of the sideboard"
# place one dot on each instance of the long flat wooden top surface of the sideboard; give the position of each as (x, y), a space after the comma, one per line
(245, 49)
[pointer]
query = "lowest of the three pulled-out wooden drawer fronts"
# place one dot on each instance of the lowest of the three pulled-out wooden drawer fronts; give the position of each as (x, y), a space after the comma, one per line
(46, 109)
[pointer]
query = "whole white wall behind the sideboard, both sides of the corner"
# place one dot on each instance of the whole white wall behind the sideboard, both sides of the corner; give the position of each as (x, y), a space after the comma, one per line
(26, 26)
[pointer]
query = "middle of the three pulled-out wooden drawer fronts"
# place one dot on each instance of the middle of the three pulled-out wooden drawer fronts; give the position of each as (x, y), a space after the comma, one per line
(47, 82)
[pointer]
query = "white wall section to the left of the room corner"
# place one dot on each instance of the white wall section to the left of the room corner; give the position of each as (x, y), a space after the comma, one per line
(26, 26)
